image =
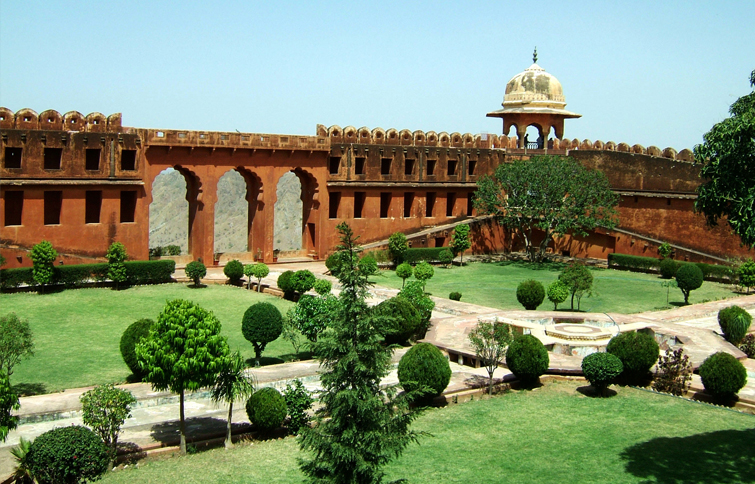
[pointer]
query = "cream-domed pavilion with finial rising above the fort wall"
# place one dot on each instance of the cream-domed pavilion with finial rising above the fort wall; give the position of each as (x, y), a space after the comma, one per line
(534, 98)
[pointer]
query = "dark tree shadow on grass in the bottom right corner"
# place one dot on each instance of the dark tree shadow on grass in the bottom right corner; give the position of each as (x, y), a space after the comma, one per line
(718, 457)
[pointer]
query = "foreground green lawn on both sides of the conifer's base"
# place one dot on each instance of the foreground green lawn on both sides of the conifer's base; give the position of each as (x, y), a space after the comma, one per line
(553, 434)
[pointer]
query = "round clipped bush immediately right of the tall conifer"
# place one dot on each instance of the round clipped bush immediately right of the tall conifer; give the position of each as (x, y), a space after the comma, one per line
(424, 366)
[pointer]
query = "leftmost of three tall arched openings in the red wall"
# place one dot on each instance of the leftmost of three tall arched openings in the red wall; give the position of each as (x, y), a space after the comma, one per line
(169, 211)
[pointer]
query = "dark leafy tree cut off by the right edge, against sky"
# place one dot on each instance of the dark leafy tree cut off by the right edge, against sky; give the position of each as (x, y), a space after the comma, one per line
(728, 173)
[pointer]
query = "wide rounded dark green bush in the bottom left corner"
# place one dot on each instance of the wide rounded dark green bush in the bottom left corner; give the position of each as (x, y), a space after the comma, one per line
(67, 455)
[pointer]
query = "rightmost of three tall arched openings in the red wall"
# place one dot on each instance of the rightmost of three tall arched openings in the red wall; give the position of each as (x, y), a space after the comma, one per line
(288, 225)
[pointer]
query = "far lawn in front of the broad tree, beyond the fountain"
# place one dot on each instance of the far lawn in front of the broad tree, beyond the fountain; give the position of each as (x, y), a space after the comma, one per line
(494, 285)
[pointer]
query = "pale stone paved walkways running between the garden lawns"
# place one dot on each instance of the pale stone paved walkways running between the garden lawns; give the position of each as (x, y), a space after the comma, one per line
(153, 422)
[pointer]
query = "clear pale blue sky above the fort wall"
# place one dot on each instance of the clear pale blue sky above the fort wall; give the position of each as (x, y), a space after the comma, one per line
(652, 72)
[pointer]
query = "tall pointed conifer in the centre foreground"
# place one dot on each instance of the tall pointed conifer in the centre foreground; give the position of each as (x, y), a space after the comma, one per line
(361, 425)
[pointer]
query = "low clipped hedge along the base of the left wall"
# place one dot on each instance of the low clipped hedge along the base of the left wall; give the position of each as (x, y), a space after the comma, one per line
(137, 272)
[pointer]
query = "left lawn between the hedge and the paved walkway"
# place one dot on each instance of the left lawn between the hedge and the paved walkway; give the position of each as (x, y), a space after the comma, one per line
(77, 332)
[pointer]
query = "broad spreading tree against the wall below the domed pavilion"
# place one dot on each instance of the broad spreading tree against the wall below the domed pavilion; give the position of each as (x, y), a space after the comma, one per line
(552, 195)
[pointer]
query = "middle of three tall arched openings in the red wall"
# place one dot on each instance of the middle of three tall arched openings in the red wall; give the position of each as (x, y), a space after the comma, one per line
(232, 214)
